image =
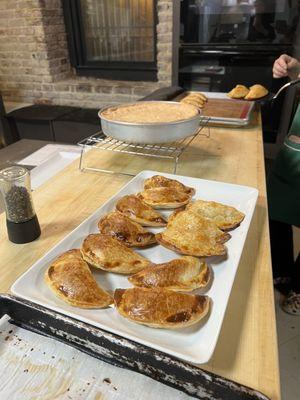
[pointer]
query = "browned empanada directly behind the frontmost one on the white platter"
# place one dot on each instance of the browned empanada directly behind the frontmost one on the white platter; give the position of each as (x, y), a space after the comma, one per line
(182, 274)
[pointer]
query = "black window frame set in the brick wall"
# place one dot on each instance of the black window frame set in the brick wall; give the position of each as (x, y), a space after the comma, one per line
(119, 70)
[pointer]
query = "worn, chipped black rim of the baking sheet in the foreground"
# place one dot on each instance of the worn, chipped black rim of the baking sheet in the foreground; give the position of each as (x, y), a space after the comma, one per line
(124, 353)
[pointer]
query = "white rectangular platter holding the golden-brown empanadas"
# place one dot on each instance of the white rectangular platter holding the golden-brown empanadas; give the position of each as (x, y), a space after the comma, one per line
(194, 344)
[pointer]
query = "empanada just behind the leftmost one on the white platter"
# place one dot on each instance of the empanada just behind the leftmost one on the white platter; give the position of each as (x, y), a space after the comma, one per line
(107, 253)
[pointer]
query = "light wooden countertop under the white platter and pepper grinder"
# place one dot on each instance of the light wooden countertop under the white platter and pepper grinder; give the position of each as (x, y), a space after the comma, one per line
(247, 347)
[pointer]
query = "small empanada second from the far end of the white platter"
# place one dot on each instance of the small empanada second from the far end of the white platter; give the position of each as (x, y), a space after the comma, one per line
(164, 197)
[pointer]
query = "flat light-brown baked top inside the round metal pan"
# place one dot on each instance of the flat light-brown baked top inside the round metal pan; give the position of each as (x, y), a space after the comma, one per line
(150, 112)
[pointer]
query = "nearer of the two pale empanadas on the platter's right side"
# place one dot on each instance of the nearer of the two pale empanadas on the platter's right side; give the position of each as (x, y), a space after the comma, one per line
(190, 234)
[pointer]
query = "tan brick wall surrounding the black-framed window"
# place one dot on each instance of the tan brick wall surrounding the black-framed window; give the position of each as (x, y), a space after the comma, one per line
(34, 59)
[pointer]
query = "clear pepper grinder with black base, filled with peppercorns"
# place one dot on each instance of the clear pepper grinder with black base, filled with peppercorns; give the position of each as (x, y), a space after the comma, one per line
(21, 220)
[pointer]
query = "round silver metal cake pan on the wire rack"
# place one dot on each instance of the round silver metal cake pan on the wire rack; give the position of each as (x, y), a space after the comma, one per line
(149, 133)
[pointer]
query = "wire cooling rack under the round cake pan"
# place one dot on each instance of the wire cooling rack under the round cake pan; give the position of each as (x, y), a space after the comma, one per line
(172, 151)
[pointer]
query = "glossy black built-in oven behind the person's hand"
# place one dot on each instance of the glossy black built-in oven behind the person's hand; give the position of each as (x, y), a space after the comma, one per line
(227, 42)
